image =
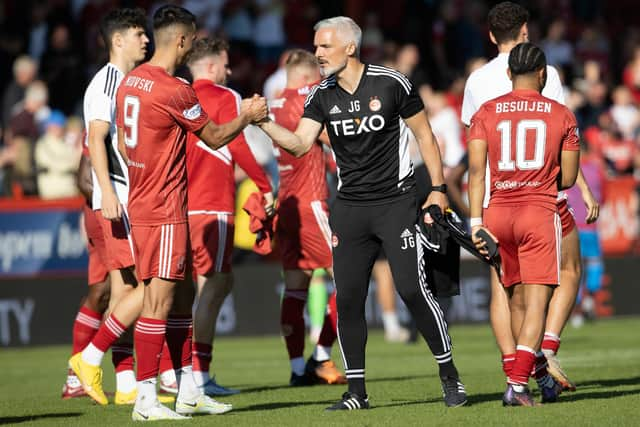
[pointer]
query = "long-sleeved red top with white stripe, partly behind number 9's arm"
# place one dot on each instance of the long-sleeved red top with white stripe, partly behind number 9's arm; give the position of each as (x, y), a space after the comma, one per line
(211, 181)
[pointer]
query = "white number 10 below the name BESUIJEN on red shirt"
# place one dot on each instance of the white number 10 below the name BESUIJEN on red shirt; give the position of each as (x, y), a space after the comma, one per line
(506, 162)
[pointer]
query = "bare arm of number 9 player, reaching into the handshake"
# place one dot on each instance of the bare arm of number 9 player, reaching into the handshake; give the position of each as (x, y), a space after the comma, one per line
(216, 136)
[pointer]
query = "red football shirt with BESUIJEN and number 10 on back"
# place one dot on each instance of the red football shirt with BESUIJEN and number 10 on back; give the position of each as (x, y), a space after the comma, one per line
(525, 134)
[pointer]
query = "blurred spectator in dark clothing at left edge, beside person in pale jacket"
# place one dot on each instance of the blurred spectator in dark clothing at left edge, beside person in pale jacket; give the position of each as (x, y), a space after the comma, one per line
(22, 133)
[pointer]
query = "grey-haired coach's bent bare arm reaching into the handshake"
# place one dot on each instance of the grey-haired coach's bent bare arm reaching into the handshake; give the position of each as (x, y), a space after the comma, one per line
(297, 143)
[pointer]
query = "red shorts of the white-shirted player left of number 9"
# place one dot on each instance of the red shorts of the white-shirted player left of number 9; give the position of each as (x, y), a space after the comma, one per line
(117, 240)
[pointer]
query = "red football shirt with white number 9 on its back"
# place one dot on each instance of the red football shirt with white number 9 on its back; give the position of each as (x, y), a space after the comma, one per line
(156, 110)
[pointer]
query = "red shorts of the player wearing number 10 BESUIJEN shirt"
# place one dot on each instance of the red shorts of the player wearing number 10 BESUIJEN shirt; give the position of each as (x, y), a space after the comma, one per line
(529, 239)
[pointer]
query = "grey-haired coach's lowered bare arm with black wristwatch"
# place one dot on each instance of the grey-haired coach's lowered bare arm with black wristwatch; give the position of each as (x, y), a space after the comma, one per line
(430, 153)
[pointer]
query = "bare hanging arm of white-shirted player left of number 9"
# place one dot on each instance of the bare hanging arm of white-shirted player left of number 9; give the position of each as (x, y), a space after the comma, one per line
(97, 134)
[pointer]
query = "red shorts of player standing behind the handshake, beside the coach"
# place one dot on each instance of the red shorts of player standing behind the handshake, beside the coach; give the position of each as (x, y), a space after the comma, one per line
(303, 234)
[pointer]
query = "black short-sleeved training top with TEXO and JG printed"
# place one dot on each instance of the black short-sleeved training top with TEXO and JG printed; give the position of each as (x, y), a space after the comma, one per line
(367, 133)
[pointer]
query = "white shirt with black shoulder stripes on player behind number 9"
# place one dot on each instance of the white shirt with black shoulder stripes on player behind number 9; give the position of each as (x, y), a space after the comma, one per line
(100, 104)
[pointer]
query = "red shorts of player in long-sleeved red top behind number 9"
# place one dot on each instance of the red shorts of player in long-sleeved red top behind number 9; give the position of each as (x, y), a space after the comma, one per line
(211, 242)
